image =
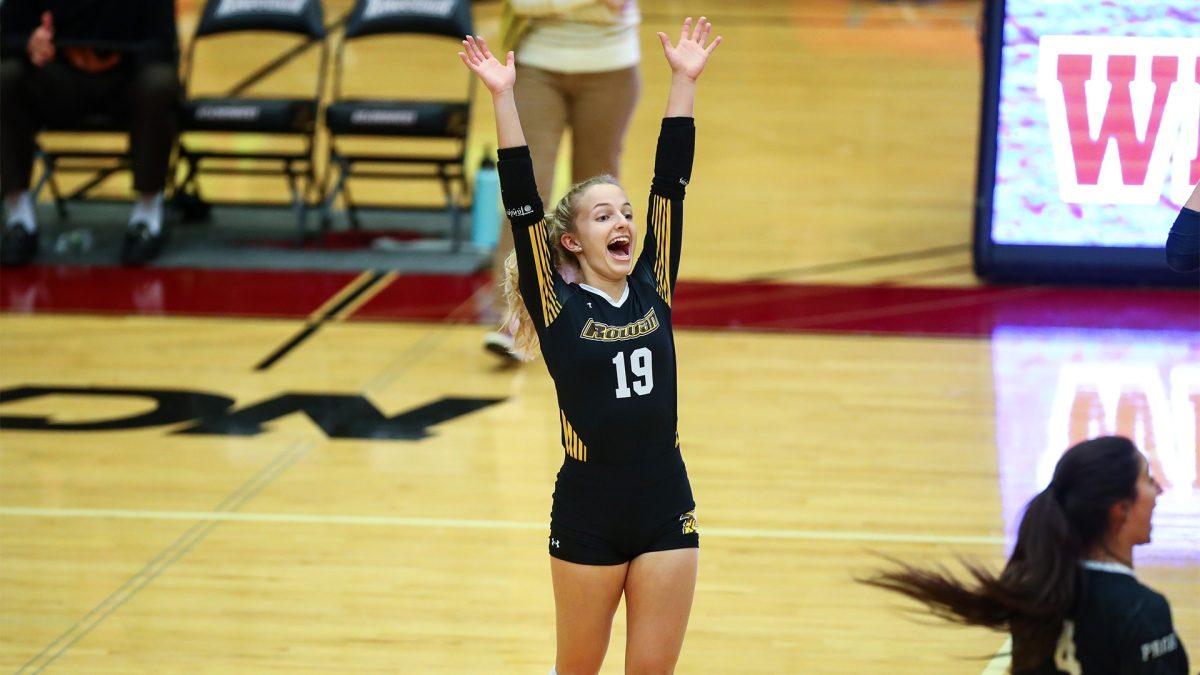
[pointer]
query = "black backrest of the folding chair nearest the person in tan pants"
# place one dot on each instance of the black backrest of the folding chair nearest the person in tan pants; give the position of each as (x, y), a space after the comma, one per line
(449, 19)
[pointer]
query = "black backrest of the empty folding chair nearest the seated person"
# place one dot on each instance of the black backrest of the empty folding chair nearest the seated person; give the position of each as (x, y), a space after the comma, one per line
(301, 17)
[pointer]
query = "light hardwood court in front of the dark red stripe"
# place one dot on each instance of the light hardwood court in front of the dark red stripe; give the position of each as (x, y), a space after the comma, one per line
(149, 552)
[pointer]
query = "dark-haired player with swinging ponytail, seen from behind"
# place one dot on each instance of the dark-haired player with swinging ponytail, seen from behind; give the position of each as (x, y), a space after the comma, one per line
(1069, 595)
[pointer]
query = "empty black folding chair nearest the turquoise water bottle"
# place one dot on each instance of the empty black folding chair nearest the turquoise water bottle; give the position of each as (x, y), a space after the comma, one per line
(400, 118)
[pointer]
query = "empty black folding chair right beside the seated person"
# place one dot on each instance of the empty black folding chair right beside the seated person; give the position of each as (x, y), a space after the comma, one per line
(280, 118)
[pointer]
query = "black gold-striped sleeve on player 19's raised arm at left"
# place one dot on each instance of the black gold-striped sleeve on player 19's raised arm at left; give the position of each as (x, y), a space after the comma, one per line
(538, 277)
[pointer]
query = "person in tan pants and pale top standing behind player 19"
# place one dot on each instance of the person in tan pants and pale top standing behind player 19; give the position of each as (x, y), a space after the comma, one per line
(578, 68)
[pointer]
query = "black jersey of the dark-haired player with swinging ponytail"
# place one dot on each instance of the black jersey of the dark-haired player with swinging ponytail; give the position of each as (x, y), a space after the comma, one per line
(1119, 628)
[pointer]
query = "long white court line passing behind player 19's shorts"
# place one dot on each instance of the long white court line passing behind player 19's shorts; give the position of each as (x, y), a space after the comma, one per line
(469, 524)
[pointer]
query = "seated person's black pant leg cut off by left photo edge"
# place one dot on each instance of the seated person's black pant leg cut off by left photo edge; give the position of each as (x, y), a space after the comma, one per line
(17, 126)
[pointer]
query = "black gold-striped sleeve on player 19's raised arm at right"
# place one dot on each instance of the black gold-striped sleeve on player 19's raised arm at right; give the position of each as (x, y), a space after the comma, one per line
(664, 219)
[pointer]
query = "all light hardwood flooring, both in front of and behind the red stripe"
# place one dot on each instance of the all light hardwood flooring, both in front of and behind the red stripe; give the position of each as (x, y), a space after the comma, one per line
(302, 549)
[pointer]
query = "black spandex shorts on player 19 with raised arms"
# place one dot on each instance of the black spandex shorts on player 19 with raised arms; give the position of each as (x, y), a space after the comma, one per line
(610, 515)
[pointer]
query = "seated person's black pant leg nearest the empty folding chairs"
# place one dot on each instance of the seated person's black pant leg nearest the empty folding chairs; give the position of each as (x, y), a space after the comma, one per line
(153, 110)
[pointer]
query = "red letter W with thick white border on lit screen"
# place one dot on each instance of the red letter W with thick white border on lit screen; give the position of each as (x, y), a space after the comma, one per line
(1124, 116)
